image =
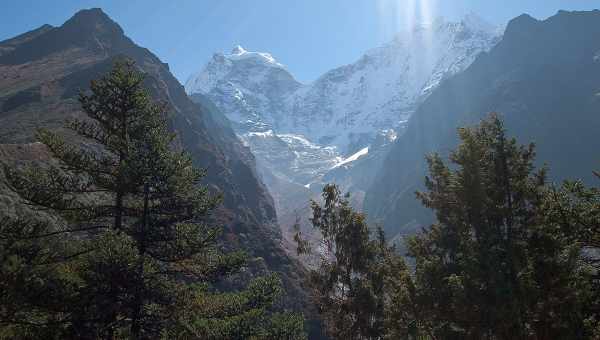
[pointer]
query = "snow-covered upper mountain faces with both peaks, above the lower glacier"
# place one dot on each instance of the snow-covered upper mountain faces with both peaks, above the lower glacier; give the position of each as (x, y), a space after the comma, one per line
(348, 105)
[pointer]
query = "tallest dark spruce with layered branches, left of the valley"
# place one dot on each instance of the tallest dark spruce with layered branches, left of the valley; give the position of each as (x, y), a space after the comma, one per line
(141, 252)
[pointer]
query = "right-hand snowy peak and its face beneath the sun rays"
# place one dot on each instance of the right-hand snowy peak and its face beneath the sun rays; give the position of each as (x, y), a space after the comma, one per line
(348, 105)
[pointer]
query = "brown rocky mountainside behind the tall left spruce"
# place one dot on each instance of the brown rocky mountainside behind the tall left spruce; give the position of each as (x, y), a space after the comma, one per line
(41, 73)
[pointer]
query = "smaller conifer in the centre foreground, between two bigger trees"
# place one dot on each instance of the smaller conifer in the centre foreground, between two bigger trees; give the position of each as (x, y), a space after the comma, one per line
(350, 284)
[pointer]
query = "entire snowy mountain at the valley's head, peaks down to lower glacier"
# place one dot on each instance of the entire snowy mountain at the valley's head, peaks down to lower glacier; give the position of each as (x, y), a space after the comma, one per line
(304, 135)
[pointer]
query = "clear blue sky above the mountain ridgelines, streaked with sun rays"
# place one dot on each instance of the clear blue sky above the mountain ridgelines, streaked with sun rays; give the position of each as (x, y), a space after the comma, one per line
(308, 36)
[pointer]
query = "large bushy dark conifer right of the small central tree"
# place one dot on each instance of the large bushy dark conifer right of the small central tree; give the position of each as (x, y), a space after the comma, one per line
(496, 265)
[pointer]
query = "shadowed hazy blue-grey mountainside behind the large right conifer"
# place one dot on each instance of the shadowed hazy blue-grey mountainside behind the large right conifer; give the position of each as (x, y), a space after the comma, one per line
(543, 77)
